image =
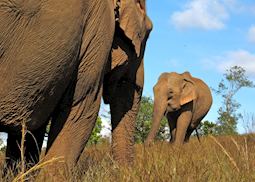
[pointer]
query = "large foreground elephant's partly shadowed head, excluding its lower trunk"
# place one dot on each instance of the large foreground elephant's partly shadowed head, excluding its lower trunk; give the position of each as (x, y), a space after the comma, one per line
(132, 30)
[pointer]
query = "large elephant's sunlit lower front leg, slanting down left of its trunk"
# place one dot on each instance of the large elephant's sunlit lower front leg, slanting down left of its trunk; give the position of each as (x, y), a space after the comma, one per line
(75, 133)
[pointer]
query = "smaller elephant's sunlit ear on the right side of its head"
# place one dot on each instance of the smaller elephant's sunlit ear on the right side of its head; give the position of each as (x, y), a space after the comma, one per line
(189, 92)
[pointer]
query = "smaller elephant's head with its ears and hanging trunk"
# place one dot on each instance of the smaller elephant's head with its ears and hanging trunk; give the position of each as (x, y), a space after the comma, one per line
(171, 92)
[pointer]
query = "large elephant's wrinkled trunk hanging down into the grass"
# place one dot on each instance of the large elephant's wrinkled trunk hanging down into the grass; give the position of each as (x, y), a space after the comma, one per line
(124, 109)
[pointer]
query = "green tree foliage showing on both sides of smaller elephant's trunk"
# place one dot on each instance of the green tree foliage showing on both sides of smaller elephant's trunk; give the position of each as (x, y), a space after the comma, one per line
(144, 122)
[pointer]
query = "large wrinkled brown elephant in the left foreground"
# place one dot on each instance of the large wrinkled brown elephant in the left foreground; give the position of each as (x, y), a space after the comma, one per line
(53, 59)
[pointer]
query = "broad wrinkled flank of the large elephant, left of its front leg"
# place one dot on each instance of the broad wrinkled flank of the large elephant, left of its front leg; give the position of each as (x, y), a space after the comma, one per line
(39, 45)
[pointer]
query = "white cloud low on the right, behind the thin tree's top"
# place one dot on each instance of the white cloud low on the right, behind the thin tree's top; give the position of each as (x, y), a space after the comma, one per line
(241, 58)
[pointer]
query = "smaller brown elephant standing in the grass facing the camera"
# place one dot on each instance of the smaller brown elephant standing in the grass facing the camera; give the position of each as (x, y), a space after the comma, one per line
(184, 100)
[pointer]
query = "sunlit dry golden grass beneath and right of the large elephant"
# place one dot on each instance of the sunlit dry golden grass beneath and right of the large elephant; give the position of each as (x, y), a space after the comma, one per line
(214, 159)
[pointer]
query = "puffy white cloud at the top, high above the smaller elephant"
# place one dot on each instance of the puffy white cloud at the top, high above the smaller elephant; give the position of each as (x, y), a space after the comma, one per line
(205, 14)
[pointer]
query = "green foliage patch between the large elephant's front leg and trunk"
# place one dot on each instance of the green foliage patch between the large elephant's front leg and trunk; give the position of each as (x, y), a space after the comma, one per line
(95, 136)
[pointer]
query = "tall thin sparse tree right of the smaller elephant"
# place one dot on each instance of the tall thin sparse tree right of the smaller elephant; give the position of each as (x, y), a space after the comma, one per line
(234, 79)
